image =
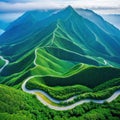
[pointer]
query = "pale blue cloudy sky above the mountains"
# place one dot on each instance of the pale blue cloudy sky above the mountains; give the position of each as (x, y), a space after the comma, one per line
(12, 9)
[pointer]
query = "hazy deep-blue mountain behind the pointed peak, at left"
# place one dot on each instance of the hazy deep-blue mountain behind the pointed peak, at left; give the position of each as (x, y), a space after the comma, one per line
(23, 25)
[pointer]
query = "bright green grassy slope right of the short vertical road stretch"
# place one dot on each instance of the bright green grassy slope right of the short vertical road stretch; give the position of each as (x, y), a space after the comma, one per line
(49, 61)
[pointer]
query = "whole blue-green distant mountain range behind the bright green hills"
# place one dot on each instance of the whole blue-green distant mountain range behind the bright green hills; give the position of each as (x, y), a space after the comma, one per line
(91, 36)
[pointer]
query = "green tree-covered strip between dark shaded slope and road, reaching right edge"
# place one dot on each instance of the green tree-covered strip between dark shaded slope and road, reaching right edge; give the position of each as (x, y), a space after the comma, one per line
(99, 92)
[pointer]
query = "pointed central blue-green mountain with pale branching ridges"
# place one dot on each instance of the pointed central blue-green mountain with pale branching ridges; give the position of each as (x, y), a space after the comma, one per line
(64, 26)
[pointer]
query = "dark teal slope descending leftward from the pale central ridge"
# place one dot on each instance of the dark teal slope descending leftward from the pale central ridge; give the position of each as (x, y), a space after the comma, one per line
(17, 50)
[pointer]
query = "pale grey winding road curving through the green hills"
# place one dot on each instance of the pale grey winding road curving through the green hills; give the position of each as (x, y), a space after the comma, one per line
(52, 106)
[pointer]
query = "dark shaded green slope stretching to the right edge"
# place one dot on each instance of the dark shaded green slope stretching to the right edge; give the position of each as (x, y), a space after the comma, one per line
(101, 75)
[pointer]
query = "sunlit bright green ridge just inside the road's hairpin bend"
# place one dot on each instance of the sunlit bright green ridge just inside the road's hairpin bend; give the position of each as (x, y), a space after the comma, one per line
(59, 92)
